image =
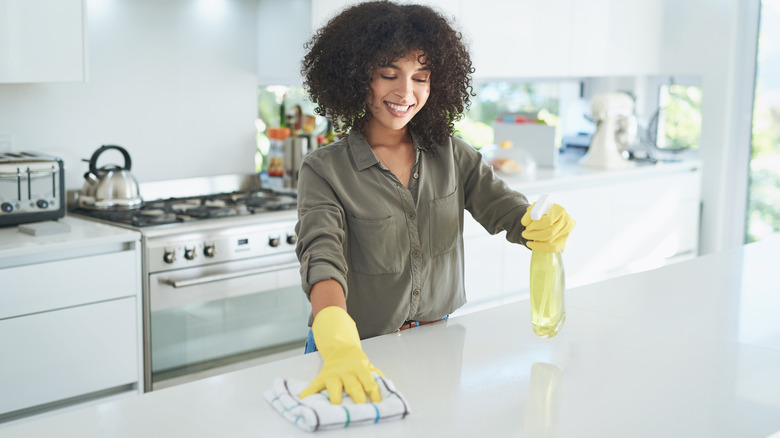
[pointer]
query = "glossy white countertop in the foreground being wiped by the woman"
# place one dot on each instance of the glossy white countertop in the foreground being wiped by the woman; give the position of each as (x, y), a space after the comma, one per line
(690, 349)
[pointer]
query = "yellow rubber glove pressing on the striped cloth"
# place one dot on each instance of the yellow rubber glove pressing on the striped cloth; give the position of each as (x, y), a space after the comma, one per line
(345, 365)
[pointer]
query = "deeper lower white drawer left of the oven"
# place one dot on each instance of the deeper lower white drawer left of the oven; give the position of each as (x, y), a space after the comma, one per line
(56, 355)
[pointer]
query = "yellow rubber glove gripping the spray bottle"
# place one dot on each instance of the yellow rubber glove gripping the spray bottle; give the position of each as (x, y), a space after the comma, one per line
(549, 233)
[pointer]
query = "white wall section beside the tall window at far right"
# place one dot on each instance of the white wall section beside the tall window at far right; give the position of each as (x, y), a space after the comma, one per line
(716, 39)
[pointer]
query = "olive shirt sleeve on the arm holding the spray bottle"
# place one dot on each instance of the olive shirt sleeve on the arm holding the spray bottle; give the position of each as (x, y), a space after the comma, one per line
(488, 198)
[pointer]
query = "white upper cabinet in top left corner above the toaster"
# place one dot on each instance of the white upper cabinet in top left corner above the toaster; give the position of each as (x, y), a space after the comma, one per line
(42, 41)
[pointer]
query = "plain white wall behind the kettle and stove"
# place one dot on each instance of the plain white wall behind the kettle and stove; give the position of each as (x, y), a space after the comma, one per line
(172, 81)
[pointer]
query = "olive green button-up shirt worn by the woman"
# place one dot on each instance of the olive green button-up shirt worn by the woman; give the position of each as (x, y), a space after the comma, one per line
(397, 251)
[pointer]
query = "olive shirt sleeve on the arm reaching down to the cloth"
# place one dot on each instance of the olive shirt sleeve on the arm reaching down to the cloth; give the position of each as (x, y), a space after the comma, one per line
(321, 230)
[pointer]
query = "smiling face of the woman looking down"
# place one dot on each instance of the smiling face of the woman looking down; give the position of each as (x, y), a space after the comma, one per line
(399, 90)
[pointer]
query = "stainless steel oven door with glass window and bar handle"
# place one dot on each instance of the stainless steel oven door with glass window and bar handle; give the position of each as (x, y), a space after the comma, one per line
(222, 315)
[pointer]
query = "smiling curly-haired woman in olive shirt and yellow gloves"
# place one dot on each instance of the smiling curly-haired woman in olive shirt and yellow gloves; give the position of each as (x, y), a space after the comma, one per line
(380, 212)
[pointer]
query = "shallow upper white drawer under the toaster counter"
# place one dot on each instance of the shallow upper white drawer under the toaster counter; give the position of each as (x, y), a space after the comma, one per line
(71, 282)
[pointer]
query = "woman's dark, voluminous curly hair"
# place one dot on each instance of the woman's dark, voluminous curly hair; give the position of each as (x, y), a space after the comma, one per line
(343, 54)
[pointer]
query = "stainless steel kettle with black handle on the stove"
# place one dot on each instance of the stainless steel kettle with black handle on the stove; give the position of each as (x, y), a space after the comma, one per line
(110, 187)
